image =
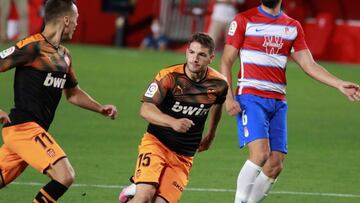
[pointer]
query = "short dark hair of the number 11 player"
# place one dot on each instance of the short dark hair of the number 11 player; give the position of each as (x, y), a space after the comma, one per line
(56, 8)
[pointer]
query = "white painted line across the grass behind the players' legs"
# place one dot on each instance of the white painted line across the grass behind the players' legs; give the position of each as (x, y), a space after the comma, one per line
(204, 190)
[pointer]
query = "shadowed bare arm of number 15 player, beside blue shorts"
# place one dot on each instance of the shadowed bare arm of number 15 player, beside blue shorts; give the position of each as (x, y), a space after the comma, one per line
(215, 116)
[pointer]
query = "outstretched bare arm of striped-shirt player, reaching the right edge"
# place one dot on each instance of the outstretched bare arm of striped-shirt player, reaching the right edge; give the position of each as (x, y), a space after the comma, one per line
(307, 63)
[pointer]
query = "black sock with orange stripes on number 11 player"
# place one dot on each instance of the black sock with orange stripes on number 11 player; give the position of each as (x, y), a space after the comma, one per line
(50, 192)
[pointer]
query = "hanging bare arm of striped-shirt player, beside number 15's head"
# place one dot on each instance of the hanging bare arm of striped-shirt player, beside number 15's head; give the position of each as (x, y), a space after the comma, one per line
(228, 58)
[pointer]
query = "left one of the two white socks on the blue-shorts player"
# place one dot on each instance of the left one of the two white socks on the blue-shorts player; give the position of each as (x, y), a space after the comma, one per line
(245, 181)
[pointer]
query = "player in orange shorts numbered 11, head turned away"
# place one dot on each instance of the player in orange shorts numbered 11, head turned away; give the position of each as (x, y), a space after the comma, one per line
(43, 71)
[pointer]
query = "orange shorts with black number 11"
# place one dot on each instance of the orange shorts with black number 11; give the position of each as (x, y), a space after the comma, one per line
(27, 144)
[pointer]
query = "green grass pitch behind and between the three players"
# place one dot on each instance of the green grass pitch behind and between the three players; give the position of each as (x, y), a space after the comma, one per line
(324, 135)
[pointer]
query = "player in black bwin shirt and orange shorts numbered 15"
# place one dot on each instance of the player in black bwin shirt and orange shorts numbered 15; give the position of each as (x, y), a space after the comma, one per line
(176, 105)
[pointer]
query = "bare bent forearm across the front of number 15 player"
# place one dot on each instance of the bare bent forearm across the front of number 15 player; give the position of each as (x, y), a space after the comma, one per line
(153, 115)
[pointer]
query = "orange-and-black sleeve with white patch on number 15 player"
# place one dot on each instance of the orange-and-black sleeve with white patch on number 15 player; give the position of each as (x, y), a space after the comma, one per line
(158, 89)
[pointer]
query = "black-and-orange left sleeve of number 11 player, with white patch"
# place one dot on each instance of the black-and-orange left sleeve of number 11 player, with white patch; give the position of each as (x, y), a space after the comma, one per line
(15, 56)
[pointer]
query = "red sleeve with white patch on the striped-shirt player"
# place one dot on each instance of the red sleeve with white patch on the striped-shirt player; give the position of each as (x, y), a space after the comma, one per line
(236, 33)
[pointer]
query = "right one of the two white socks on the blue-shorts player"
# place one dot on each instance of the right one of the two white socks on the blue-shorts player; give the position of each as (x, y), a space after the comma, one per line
(261, 188)
